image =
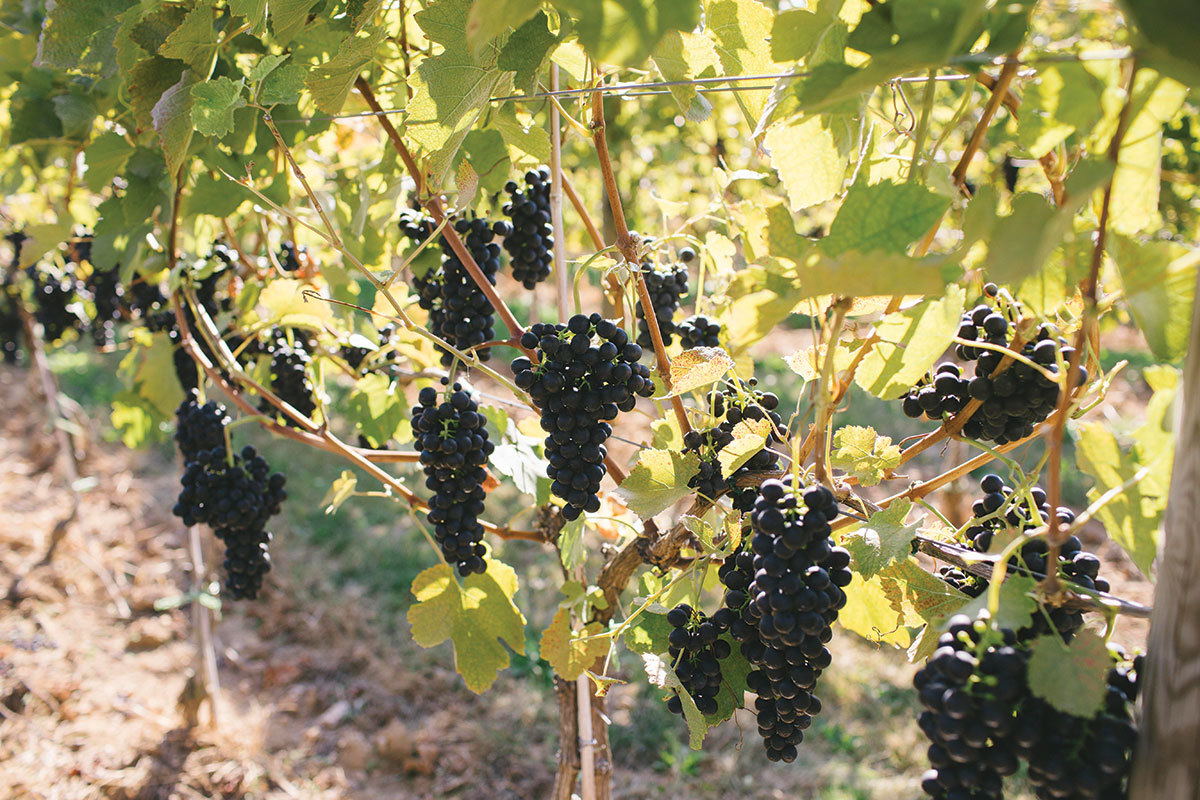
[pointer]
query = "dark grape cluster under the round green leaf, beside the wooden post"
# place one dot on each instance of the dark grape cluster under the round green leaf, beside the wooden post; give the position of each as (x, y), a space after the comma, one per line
(1097, 765)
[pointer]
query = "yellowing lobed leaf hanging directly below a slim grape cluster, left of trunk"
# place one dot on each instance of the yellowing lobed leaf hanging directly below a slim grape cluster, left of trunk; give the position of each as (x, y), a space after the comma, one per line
(475, 615)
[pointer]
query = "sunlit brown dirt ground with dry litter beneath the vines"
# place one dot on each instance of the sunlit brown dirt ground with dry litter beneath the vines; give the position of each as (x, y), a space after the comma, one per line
(317, 699)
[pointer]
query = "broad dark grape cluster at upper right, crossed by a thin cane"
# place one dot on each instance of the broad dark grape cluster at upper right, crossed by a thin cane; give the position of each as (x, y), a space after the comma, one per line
(1013, 401)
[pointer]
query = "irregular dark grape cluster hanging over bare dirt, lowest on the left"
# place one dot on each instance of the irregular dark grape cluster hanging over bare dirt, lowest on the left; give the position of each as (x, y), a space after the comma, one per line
(236, 495)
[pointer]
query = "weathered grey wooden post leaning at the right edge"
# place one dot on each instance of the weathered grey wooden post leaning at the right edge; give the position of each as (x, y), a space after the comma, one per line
(1168, 761)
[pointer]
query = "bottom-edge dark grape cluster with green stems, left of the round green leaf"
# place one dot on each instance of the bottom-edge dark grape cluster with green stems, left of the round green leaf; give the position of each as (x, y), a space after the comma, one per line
(971, 689)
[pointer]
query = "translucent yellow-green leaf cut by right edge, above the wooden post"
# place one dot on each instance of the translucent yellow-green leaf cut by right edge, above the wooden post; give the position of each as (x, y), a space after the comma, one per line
(1160, 280)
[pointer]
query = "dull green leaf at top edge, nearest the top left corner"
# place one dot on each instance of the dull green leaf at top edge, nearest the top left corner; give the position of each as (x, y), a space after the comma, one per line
(79, 35)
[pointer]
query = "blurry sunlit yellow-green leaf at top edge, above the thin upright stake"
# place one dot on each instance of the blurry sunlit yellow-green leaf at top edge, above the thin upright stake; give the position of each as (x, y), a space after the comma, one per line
(623, 33)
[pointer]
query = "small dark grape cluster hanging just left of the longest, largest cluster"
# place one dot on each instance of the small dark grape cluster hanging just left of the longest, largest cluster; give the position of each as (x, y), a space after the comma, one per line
(697, 653)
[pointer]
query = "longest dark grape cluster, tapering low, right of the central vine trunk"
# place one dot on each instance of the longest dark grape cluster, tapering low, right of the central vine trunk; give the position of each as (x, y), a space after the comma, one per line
(785, 593)
